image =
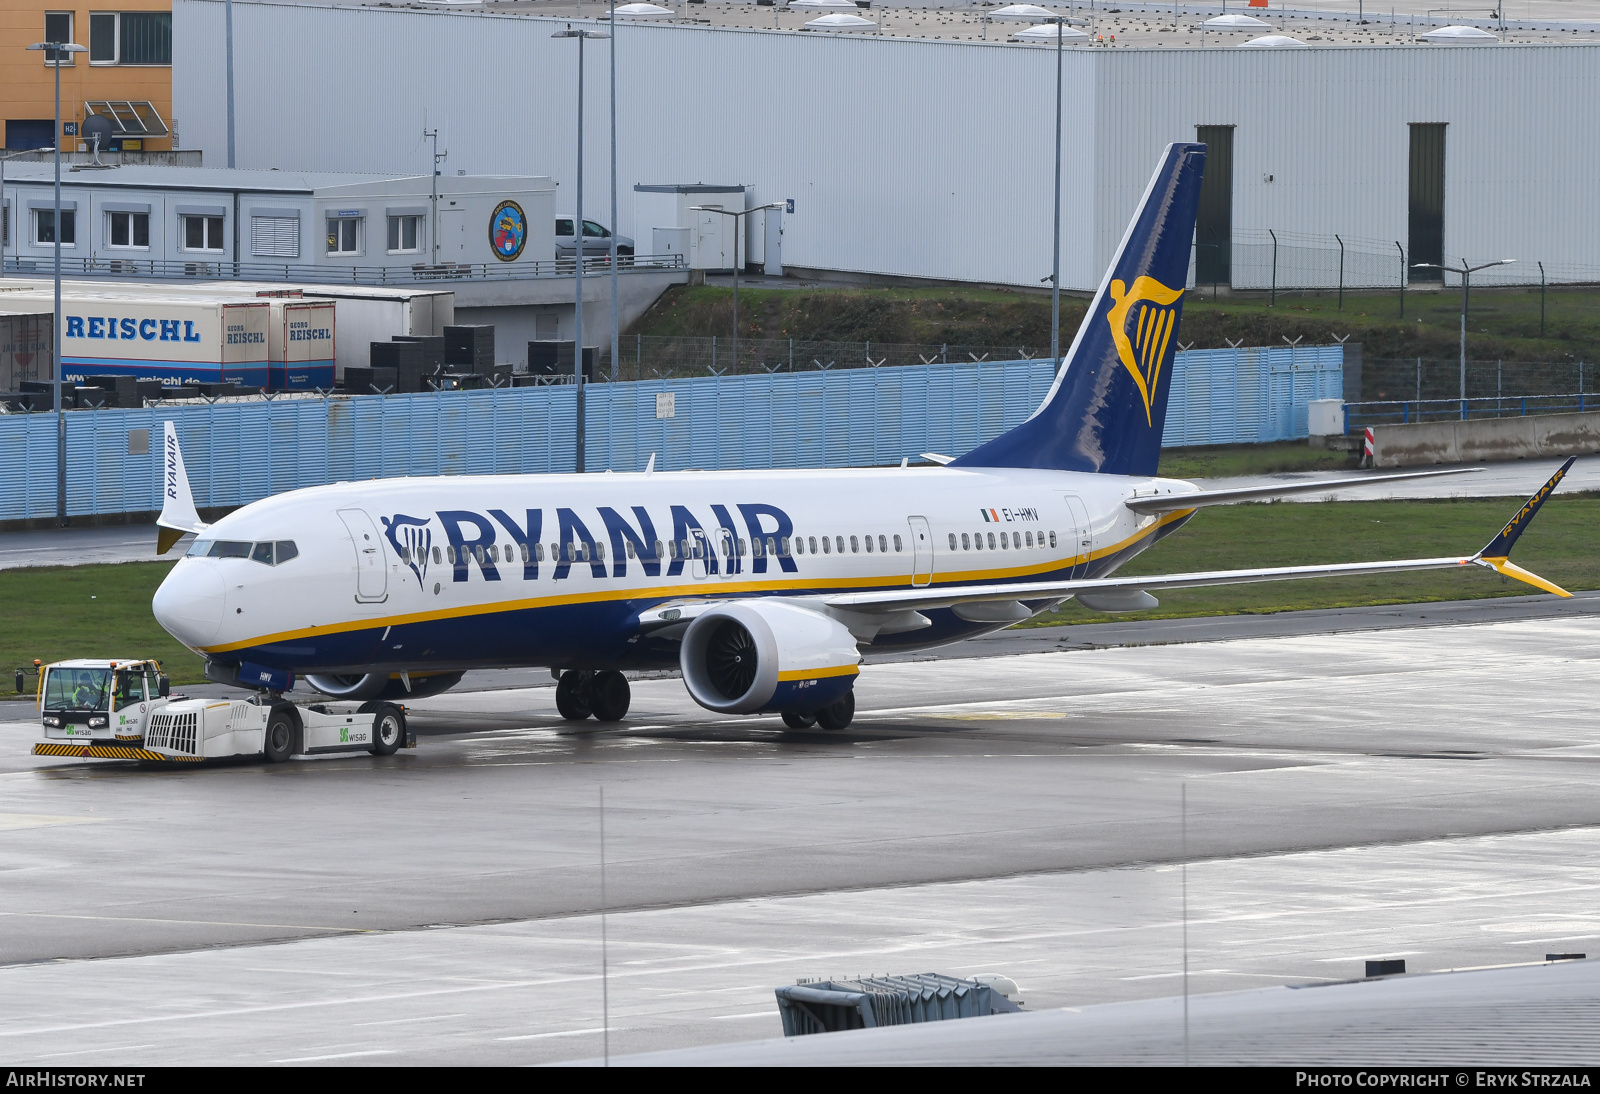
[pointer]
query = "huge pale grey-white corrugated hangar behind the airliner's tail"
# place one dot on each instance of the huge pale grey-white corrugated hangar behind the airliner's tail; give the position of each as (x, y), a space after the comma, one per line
(913, 158)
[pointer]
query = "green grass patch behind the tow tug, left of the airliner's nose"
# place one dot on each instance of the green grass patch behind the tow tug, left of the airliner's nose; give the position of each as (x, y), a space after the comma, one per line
(89, 612)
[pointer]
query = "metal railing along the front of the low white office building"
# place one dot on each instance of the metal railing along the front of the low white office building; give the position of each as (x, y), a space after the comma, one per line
(314, 274)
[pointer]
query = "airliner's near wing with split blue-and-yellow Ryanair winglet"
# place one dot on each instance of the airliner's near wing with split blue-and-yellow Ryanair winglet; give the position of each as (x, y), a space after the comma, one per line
(1495, 556)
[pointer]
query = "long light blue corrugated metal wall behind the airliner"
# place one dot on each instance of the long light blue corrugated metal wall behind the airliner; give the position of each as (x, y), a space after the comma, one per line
(238, 453)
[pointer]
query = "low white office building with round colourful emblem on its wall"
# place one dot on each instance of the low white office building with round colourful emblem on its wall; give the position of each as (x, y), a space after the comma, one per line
(196, 222)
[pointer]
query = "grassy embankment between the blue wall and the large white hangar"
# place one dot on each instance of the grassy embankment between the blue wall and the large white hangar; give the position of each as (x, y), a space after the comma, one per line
(1503, 322)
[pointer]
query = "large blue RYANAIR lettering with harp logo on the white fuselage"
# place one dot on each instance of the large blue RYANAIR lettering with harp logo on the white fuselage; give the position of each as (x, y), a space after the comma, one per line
(756, 538)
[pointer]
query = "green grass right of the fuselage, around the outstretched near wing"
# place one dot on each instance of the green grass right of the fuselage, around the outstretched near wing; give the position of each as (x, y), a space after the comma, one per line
(1559, 548)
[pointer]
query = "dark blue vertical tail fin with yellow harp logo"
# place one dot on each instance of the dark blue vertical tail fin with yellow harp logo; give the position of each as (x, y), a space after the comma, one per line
(1108, 405)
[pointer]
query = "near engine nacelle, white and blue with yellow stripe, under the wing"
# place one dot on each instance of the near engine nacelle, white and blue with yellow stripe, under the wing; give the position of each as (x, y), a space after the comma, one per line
(767, 655)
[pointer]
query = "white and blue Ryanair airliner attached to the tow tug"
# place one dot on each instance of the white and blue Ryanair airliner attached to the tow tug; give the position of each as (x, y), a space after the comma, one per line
(762, 586)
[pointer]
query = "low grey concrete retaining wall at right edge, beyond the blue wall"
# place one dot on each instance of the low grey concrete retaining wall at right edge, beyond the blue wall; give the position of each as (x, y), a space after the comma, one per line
(1486, 439)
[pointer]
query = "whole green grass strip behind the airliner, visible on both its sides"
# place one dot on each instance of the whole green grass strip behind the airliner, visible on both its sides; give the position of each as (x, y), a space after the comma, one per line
(105, 612)
